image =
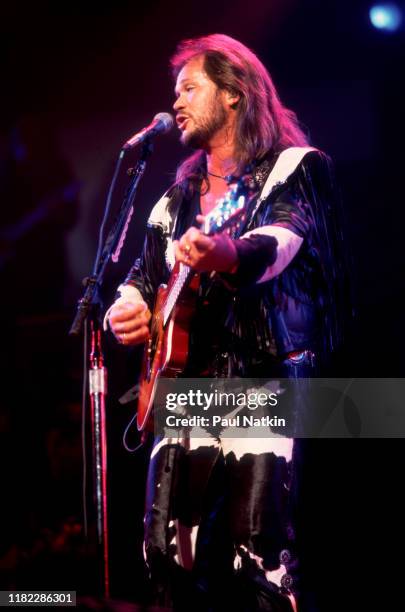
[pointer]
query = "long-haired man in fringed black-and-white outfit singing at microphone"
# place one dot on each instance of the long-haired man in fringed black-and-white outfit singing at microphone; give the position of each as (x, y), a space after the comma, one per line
(218, 527)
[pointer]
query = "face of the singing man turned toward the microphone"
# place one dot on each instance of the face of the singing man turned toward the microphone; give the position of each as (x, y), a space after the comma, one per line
(200, 110)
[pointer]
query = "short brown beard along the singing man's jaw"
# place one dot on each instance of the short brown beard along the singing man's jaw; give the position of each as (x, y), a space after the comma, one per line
(206, 126)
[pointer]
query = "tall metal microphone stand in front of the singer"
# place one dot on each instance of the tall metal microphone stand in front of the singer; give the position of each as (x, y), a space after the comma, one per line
(89, 309)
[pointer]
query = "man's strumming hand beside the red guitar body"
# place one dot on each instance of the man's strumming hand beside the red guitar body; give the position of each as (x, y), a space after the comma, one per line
(130, 323)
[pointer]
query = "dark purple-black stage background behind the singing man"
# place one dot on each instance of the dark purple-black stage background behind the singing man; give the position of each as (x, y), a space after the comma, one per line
(78, 80)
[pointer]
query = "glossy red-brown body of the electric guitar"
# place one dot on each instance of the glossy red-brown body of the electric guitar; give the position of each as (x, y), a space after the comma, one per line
(166, 352)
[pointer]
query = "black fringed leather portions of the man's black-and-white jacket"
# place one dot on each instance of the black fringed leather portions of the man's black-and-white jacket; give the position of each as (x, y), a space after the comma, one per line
(241, 328)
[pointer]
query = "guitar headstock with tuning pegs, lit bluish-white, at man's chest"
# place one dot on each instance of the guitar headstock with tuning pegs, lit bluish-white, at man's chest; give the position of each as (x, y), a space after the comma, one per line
(229, 210)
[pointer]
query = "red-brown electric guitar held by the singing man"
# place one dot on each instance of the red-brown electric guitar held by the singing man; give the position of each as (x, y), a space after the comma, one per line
(166, 351)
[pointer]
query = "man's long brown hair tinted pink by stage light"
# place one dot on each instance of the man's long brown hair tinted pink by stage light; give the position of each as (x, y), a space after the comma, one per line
(263, 124)
